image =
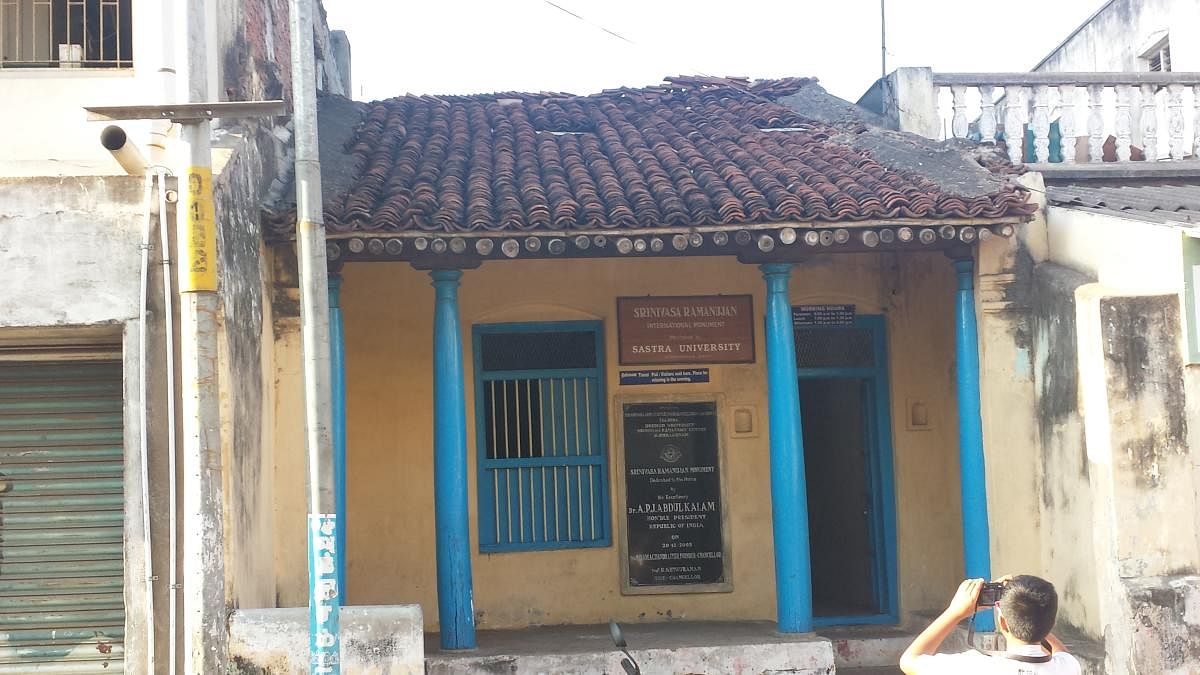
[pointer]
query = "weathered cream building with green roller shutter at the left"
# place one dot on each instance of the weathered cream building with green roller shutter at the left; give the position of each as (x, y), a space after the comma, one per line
(82, 332)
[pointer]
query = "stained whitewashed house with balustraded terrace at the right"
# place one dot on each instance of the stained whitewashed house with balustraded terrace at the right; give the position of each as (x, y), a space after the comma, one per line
(1095, 314)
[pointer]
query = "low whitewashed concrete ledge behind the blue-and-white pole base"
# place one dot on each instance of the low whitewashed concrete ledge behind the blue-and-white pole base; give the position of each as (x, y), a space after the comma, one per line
(376, 641)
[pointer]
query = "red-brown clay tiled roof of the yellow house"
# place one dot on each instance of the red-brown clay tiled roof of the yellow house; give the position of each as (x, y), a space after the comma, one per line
(693, 152)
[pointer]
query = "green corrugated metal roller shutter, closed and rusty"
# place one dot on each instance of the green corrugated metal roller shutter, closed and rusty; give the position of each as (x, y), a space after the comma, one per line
(62, 518)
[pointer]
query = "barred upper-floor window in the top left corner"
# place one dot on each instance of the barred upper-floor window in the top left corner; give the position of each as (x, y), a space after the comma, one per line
(67, 34)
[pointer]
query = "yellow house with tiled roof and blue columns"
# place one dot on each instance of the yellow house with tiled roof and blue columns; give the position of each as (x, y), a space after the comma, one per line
(681, 353)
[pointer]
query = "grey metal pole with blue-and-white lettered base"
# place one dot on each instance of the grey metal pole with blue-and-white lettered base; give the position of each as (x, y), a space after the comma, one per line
(325, 595)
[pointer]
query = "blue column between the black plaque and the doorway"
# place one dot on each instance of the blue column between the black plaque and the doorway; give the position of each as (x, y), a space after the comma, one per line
(789, 495)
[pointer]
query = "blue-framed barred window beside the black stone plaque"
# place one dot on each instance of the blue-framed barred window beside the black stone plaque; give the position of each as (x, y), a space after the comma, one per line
(541, 437)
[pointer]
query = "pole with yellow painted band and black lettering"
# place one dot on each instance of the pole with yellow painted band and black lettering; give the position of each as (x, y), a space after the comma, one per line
(205, 630)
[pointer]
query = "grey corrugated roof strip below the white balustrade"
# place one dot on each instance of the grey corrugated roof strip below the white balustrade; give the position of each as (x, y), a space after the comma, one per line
(1178, 205)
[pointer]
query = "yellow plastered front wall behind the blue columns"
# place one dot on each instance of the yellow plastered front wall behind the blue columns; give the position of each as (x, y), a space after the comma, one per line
(389, 312)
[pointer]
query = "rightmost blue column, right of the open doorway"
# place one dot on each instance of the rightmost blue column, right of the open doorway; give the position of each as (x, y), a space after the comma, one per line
(976, 542)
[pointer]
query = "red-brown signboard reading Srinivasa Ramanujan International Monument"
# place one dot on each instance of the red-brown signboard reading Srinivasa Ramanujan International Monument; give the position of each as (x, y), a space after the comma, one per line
(686, 330)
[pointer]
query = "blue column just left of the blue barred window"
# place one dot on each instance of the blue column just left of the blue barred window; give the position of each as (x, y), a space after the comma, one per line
(455, 590)
